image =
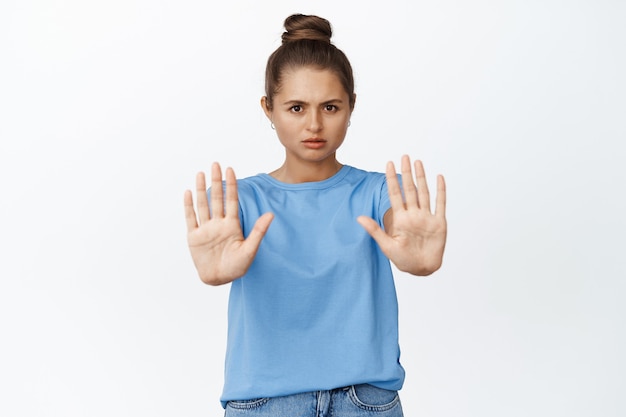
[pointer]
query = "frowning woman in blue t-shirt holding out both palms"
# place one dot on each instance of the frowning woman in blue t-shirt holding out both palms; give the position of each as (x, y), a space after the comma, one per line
(313, 315)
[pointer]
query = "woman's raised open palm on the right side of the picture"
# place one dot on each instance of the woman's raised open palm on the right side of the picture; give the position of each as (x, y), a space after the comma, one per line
(414, 238)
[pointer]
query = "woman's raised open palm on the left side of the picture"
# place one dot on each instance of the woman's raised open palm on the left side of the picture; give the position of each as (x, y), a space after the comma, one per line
(218, 248)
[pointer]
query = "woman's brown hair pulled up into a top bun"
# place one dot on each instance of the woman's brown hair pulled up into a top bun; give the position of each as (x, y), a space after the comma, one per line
(306, 42)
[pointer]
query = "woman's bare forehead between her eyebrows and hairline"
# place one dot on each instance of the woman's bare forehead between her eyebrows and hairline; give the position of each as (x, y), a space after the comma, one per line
(310, 84)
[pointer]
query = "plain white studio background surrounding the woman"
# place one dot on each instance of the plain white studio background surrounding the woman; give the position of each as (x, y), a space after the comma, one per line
(109, 108)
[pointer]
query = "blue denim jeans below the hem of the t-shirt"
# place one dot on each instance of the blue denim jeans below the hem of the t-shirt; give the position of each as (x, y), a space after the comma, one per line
(353, 401)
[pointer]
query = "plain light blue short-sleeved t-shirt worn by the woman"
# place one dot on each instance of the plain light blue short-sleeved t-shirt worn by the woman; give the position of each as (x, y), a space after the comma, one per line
(317, 309)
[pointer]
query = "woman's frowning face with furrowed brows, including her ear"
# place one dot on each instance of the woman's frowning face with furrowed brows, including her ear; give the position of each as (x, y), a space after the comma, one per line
(310, 113)
